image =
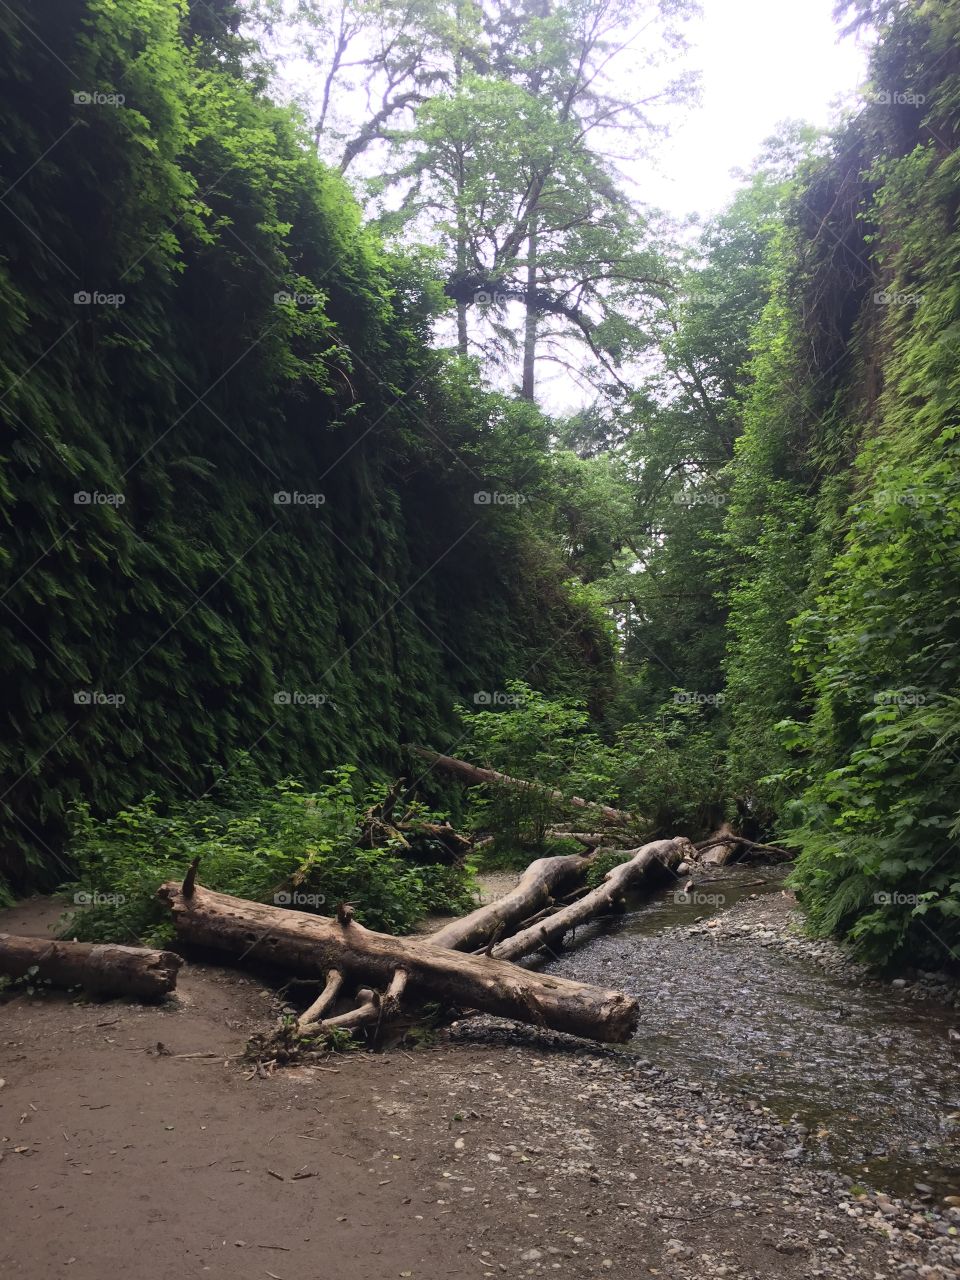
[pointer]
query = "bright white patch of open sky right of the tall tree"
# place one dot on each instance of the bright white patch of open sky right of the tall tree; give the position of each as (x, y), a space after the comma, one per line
(761, 62)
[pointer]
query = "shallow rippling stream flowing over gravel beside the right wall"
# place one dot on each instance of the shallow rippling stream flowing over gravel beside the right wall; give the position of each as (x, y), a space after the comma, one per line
(872, 1073)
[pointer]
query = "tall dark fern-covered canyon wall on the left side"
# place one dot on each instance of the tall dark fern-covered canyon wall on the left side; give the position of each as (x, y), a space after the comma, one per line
(267, 345)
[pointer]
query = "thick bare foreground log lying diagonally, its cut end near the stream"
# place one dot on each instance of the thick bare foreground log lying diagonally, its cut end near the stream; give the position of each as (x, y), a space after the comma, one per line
(313, 945)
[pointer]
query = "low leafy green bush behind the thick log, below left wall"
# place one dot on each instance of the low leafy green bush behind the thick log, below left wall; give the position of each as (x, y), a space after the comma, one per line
(272, 844)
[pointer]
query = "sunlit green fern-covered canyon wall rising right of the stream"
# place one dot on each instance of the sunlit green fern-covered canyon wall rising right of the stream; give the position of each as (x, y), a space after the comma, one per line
(845, 625)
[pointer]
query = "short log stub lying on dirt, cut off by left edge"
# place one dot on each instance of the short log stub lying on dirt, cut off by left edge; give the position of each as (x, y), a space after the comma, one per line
(102, 970)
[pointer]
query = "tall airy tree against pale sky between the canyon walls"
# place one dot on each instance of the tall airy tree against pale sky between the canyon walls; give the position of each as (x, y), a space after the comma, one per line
(499, 126)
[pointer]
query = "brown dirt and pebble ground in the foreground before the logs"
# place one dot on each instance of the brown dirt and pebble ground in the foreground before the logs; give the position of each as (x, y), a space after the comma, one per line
(496, 1153)
